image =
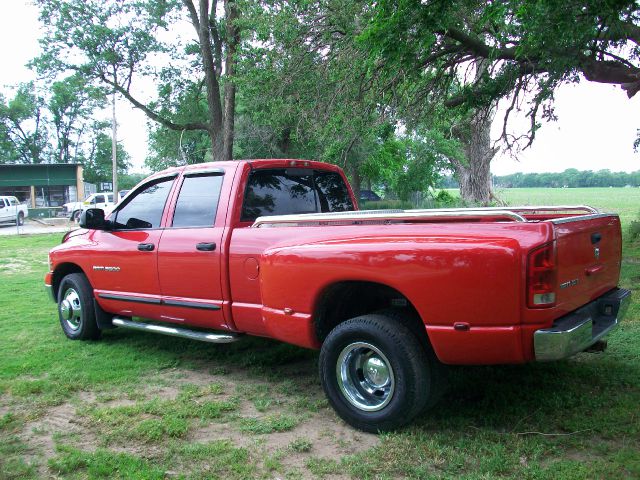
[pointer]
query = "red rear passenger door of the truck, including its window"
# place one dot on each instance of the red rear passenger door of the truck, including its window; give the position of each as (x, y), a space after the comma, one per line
(189, 255)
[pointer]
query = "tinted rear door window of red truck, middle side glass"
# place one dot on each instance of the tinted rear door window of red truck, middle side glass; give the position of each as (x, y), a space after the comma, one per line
(198, 201)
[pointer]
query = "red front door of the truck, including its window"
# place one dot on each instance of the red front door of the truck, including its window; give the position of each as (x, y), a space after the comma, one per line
(124, 270)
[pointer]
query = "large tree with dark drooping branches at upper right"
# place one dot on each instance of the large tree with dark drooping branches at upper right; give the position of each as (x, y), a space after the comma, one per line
(430, 51)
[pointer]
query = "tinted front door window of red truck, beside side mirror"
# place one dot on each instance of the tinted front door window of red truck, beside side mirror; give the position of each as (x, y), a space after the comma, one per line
(144, 209)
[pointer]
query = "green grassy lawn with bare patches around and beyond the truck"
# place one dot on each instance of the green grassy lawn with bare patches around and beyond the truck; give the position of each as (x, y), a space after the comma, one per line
(136, 405)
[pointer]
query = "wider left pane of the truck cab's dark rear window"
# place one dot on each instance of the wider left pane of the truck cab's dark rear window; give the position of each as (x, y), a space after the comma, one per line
(278, 192)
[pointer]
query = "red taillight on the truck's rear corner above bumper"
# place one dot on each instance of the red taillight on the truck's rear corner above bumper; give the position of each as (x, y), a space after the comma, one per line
(541, 276)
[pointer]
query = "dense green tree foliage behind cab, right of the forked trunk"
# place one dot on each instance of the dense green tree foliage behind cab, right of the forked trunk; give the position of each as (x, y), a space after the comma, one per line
(308, 91)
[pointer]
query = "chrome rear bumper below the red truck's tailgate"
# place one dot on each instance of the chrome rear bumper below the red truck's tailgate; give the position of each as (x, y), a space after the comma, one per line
(578, 330)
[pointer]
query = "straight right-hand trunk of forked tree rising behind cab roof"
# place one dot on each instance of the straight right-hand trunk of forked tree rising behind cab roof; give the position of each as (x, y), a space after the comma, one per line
(233, 38)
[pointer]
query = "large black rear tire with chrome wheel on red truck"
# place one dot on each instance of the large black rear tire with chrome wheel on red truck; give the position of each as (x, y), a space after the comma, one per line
(367, 350)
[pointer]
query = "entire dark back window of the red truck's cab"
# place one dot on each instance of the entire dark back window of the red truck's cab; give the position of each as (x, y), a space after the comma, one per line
(287, 191)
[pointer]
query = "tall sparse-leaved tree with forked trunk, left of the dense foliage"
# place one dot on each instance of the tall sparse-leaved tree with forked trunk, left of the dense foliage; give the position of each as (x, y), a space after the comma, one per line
(115, 43)
